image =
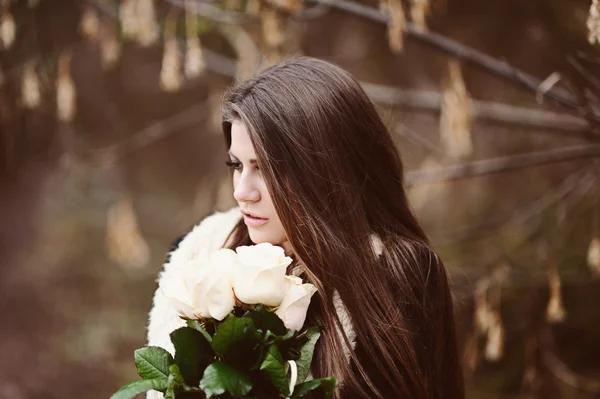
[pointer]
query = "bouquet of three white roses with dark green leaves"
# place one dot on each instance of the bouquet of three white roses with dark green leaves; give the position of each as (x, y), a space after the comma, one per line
(245, 335)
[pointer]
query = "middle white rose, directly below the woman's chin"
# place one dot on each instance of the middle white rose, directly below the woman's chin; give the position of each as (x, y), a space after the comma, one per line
(260, 274)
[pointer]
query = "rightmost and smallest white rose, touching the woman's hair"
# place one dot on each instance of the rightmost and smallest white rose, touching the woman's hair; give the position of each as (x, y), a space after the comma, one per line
(295, 304)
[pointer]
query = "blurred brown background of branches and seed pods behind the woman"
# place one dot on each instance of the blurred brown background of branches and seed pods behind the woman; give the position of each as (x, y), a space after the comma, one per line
(110, 148)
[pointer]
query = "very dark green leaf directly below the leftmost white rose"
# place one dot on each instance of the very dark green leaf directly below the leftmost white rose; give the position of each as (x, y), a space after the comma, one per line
(193, 353)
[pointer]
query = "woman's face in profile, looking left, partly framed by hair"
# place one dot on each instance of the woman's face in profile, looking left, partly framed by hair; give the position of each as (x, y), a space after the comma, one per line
(250, 191)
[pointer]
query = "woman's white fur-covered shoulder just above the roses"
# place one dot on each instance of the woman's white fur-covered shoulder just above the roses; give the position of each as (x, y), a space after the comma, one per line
(208, 235)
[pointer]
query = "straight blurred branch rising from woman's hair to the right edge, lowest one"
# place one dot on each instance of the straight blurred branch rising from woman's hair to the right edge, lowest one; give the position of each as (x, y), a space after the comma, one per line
(501, 164)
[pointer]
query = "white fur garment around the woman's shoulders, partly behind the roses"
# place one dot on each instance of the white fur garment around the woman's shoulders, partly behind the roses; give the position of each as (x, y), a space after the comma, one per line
(204, 238)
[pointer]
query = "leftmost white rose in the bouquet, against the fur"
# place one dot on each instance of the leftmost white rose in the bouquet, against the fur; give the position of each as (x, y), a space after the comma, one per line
(202, 289)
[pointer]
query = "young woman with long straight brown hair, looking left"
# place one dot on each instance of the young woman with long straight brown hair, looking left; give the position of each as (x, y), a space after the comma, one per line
(316, 171)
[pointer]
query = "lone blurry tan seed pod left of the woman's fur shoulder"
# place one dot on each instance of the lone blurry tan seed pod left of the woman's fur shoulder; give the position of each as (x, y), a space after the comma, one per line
(124, 241)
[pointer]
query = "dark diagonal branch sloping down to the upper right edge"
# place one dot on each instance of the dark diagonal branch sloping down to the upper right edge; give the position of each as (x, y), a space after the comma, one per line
(470, 55)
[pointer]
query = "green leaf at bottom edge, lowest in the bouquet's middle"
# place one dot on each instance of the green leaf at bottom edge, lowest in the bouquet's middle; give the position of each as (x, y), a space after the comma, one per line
(219, 378)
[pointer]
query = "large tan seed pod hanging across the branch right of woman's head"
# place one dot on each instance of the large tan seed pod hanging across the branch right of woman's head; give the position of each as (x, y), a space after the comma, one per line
(456, 114)
